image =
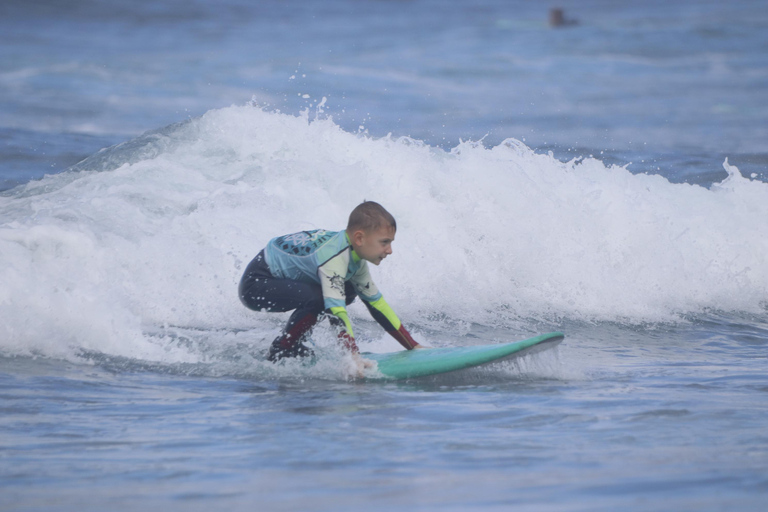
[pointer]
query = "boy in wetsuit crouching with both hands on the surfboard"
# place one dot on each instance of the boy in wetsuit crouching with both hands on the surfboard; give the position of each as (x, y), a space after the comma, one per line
(323, 271)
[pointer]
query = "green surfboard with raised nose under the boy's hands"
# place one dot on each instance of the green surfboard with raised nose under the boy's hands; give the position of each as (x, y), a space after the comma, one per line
(408, 364)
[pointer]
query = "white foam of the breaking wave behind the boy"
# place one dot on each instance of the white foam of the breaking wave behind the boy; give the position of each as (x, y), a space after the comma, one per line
(94, 259)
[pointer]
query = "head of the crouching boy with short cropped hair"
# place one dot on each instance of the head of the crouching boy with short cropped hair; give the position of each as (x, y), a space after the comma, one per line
(371, 230)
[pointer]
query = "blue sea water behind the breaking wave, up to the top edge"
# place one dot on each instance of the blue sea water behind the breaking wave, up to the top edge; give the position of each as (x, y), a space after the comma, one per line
(671, 88)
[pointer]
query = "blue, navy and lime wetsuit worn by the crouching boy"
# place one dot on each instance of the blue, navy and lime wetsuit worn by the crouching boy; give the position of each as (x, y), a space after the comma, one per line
(315, 272)
